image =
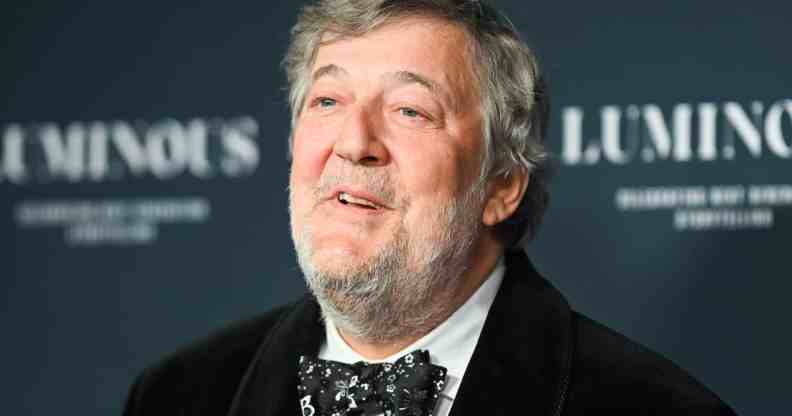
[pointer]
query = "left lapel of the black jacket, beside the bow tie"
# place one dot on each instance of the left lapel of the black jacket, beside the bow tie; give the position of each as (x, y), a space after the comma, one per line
(269, 387)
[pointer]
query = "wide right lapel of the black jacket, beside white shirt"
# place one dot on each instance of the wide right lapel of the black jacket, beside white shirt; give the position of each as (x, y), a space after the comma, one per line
(522, 360)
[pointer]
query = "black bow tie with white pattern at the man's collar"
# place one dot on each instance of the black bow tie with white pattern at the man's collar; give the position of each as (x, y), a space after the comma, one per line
(408, 387)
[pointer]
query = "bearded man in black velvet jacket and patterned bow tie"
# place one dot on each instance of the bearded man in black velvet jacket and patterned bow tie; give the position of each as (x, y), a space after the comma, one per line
(418, 168)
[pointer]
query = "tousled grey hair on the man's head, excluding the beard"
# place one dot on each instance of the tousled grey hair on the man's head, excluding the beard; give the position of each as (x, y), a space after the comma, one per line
(515, 106)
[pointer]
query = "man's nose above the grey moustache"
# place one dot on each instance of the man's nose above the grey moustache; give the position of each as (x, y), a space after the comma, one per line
(359, 141)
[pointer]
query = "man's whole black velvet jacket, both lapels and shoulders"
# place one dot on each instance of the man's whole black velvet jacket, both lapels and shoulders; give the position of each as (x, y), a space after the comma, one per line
(535, 356)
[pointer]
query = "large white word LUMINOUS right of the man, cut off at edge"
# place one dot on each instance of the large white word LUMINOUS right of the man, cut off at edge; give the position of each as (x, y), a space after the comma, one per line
(660, 137)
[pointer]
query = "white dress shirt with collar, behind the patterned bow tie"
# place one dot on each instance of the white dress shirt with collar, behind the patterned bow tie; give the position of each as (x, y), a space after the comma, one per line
(450, 344)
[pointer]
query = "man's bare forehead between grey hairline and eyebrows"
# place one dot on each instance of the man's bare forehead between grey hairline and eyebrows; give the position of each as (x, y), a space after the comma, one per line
(430, 47)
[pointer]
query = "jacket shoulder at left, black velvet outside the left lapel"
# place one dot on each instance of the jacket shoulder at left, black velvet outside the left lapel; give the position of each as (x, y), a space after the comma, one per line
(206, 372)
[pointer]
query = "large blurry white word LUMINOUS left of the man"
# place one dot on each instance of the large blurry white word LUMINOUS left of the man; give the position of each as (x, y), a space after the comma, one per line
(98, 151)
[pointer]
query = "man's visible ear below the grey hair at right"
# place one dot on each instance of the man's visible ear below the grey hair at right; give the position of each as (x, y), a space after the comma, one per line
(504, 193)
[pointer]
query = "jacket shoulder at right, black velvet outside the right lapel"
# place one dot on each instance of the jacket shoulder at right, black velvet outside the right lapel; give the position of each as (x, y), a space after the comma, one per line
(612, 372)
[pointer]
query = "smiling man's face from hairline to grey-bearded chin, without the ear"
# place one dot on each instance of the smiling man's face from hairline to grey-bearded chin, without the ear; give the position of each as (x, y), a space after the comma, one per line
(389, 140)
